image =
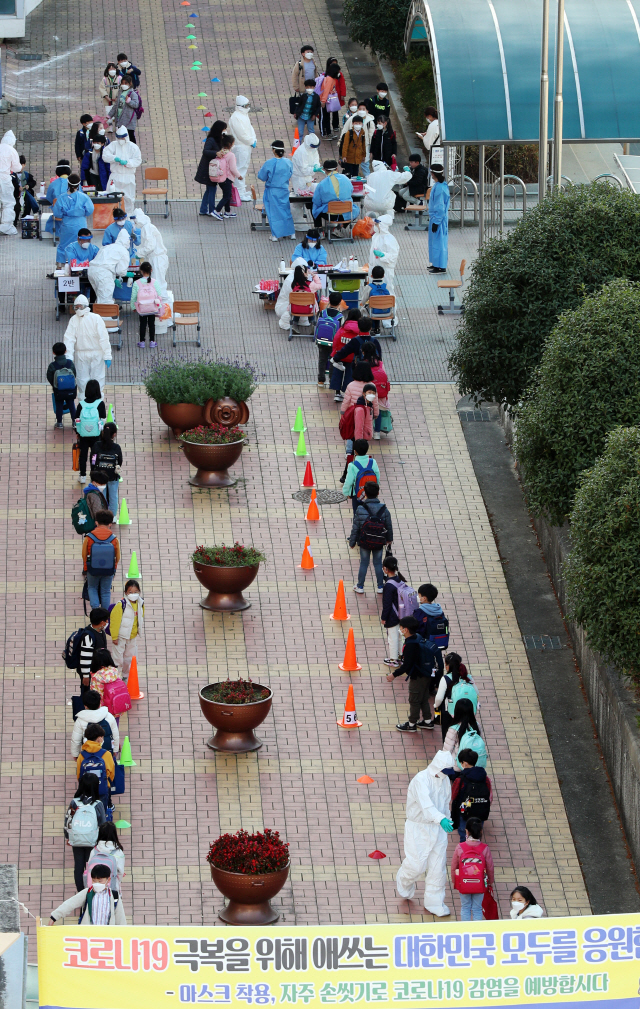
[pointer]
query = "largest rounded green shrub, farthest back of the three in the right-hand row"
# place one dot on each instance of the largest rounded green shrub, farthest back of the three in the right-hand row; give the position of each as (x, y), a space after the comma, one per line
(564, 250)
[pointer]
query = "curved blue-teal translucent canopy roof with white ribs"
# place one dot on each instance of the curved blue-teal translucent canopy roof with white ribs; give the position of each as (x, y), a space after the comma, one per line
(486, 57)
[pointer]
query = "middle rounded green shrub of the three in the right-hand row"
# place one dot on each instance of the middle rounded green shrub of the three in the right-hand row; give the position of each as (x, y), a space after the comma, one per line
(589, 383)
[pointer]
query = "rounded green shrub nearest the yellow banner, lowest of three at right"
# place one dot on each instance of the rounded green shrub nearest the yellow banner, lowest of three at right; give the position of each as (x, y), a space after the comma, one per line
(602, 572)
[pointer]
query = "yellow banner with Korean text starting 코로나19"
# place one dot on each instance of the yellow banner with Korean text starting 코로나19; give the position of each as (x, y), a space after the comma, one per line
(534, 963)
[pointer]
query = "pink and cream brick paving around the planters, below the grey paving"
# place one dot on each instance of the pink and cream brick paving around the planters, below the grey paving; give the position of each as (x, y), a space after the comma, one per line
(303, 782)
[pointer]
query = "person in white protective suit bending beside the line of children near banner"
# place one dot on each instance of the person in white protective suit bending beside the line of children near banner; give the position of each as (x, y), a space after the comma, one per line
(426, 829)
